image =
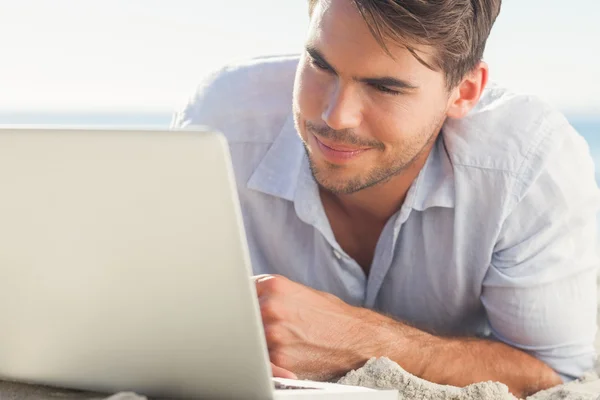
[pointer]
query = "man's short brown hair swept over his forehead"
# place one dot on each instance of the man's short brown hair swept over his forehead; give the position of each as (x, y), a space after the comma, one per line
(456, 29)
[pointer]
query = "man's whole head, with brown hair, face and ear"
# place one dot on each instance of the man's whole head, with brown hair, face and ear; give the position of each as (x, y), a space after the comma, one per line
(379, 78)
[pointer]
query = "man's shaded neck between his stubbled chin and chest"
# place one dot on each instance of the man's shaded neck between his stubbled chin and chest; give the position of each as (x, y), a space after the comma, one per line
(381, 201)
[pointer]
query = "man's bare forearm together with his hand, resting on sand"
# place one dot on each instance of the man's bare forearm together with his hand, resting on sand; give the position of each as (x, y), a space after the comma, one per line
(317, 336)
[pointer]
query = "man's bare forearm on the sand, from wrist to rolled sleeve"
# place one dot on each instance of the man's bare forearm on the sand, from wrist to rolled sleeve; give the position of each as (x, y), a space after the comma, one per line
(460, 361)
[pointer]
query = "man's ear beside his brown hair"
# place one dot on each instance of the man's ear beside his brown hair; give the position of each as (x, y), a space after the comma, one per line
(466, 95)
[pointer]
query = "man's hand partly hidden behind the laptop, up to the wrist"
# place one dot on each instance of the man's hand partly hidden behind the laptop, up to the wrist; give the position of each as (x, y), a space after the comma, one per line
(314, 334)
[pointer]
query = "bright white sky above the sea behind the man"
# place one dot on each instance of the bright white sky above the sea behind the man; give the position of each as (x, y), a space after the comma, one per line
(147, 55)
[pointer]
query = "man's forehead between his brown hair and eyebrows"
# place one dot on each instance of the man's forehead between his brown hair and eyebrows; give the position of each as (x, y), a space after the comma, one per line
(339, 32)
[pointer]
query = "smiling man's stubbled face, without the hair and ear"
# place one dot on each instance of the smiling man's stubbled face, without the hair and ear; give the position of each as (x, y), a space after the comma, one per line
(362, 114)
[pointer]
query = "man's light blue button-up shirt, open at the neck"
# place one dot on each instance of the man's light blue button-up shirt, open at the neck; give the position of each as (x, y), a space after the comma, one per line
(496, 237)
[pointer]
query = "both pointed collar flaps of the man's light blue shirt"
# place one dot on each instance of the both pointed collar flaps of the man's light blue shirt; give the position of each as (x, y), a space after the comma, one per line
(284, 169)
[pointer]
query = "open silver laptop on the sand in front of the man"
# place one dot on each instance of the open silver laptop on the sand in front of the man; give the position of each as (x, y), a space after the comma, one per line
(124, 267)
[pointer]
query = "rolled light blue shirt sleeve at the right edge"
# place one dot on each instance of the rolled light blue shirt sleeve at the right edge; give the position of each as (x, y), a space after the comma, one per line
(540, 289)
